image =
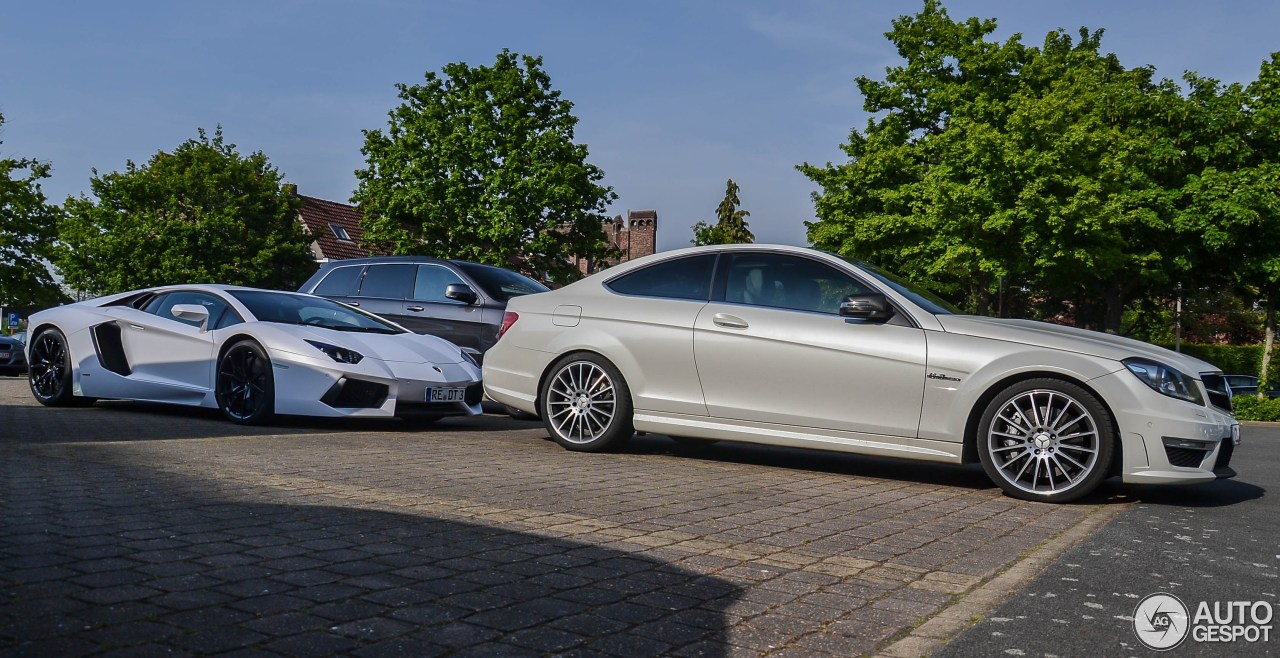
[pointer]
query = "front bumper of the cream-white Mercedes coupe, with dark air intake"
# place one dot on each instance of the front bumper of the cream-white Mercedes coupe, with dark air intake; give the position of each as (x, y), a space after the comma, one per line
(1168, 441)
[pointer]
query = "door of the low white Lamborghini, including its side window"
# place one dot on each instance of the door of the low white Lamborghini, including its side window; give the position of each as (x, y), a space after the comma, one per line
(170, 358)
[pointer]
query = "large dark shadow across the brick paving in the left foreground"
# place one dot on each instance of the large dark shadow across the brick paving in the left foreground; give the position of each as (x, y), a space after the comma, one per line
(103, 556)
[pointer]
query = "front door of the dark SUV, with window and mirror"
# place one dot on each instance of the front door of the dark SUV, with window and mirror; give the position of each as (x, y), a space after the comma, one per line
(429, 312)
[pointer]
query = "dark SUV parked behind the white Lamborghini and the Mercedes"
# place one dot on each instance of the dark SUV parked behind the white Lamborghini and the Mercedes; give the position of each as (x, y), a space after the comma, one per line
(455, 300)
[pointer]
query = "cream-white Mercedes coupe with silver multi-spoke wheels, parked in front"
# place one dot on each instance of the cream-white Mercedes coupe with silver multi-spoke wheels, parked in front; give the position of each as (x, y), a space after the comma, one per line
(797, 348)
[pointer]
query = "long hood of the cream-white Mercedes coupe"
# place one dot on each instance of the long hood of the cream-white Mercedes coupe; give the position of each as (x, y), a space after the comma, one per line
(1071, 340)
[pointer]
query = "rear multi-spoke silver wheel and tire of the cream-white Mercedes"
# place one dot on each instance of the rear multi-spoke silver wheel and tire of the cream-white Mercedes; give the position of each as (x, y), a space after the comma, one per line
(587, 405)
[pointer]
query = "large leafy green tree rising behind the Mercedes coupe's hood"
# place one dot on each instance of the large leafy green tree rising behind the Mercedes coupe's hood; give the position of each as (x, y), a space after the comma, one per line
(1048, 170)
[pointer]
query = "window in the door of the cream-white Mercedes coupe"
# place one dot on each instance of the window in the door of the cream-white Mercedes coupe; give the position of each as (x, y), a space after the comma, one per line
(781, 281)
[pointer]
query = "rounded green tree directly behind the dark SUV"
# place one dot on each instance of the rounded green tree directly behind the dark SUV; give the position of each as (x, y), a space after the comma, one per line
(481, 164)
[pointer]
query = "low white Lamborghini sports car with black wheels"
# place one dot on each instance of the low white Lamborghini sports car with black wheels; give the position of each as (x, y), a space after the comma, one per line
(248, 353)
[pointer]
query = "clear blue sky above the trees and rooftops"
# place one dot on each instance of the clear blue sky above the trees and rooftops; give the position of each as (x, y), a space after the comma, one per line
(673, 98)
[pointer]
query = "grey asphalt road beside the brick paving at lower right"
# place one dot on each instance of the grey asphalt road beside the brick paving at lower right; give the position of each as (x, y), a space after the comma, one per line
(1208, 543)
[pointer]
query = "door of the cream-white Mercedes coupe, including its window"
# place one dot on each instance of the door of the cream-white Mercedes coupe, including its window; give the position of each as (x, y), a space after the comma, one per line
(775, 350)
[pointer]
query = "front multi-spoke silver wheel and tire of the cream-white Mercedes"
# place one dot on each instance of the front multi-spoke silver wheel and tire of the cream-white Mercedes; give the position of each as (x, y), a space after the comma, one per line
(1041, 428)
